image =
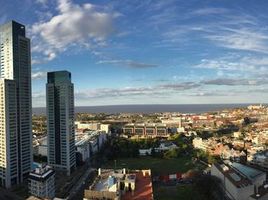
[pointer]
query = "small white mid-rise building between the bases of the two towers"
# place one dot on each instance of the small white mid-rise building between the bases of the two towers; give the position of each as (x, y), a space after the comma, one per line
(41, 182)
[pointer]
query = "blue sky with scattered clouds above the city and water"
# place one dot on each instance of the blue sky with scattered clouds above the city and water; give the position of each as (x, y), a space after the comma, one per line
(148, 51)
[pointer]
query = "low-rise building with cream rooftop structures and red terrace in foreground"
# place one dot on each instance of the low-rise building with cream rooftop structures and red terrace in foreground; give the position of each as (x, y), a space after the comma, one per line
(121, 185)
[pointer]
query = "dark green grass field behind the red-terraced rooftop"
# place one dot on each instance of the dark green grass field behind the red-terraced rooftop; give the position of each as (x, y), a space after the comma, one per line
(157, 165)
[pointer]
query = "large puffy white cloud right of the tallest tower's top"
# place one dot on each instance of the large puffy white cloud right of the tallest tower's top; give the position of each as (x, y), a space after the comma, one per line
(74, 25)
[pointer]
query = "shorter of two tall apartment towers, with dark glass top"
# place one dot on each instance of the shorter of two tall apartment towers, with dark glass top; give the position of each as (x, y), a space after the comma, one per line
(60, 121)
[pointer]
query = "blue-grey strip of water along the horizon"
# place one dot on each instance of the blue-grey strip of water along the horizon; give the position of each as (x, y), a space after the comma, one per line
(150, 108)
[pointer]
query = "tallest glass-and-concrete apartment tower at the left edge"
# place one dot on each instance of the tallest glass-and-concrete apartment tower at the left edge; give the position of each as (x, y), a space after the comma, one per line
(15, 105)
